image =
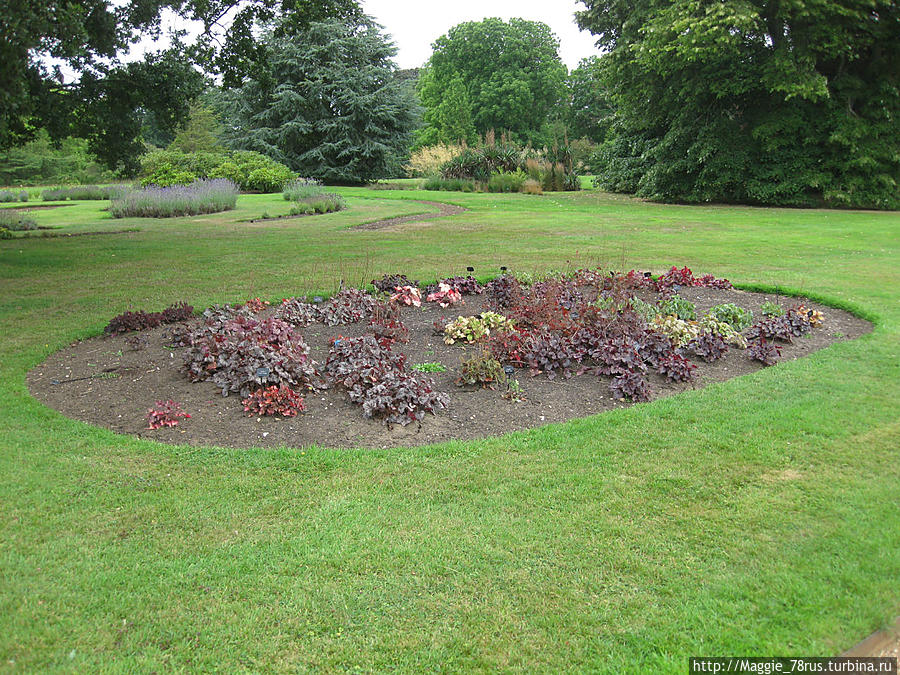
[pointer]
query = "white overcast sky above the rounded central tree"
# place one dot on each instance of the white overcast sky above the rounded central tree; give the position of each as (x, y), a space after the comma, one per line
(415, 25)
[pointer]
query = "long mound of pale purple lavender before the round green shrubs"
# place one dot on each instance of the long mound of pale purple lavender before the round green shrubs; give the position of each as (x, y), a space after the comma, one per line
(202, 196)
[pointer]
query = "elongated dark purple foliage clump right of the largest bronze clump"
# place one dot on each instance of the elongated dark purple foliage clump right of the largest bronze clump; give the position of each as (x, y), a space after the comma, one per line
(375, 378)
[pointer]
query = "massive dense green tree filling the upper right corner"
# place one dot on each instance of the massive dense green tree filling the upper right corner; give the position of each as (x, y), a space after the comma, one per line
(760, 101)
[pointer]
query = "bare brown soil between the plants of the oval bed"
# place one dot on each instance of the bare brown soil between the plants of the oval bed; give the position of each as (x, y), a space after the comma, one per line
(105, 382)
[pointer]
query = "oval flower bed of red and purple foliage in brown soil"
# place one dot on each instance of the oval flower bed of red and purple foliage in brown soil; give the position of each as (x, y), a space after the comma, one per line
(409, 365)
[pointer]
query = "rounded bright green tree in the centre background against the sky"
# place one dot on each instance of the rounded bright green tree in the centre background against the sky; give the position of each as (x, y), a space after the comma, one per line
(511, 72)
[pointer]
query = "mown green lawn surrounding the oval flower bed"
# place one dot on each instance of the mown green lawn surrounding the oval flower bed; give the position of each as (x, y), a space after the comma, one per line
(756, 516)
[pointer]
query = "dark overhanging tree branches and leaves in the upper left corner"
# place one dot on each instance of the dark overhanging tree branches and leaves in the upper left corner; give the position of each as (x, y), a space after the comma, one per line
(61, 63)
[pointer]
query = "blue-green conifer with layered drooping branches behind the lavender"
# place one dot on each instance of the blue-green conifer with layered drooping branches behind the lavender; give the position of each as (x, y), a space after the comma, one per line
(328, 104)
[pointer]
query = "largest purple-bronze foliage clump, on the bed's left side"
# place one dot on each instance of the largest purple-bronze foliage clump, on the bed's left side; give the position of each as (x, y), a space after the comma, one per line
(245, 353)
